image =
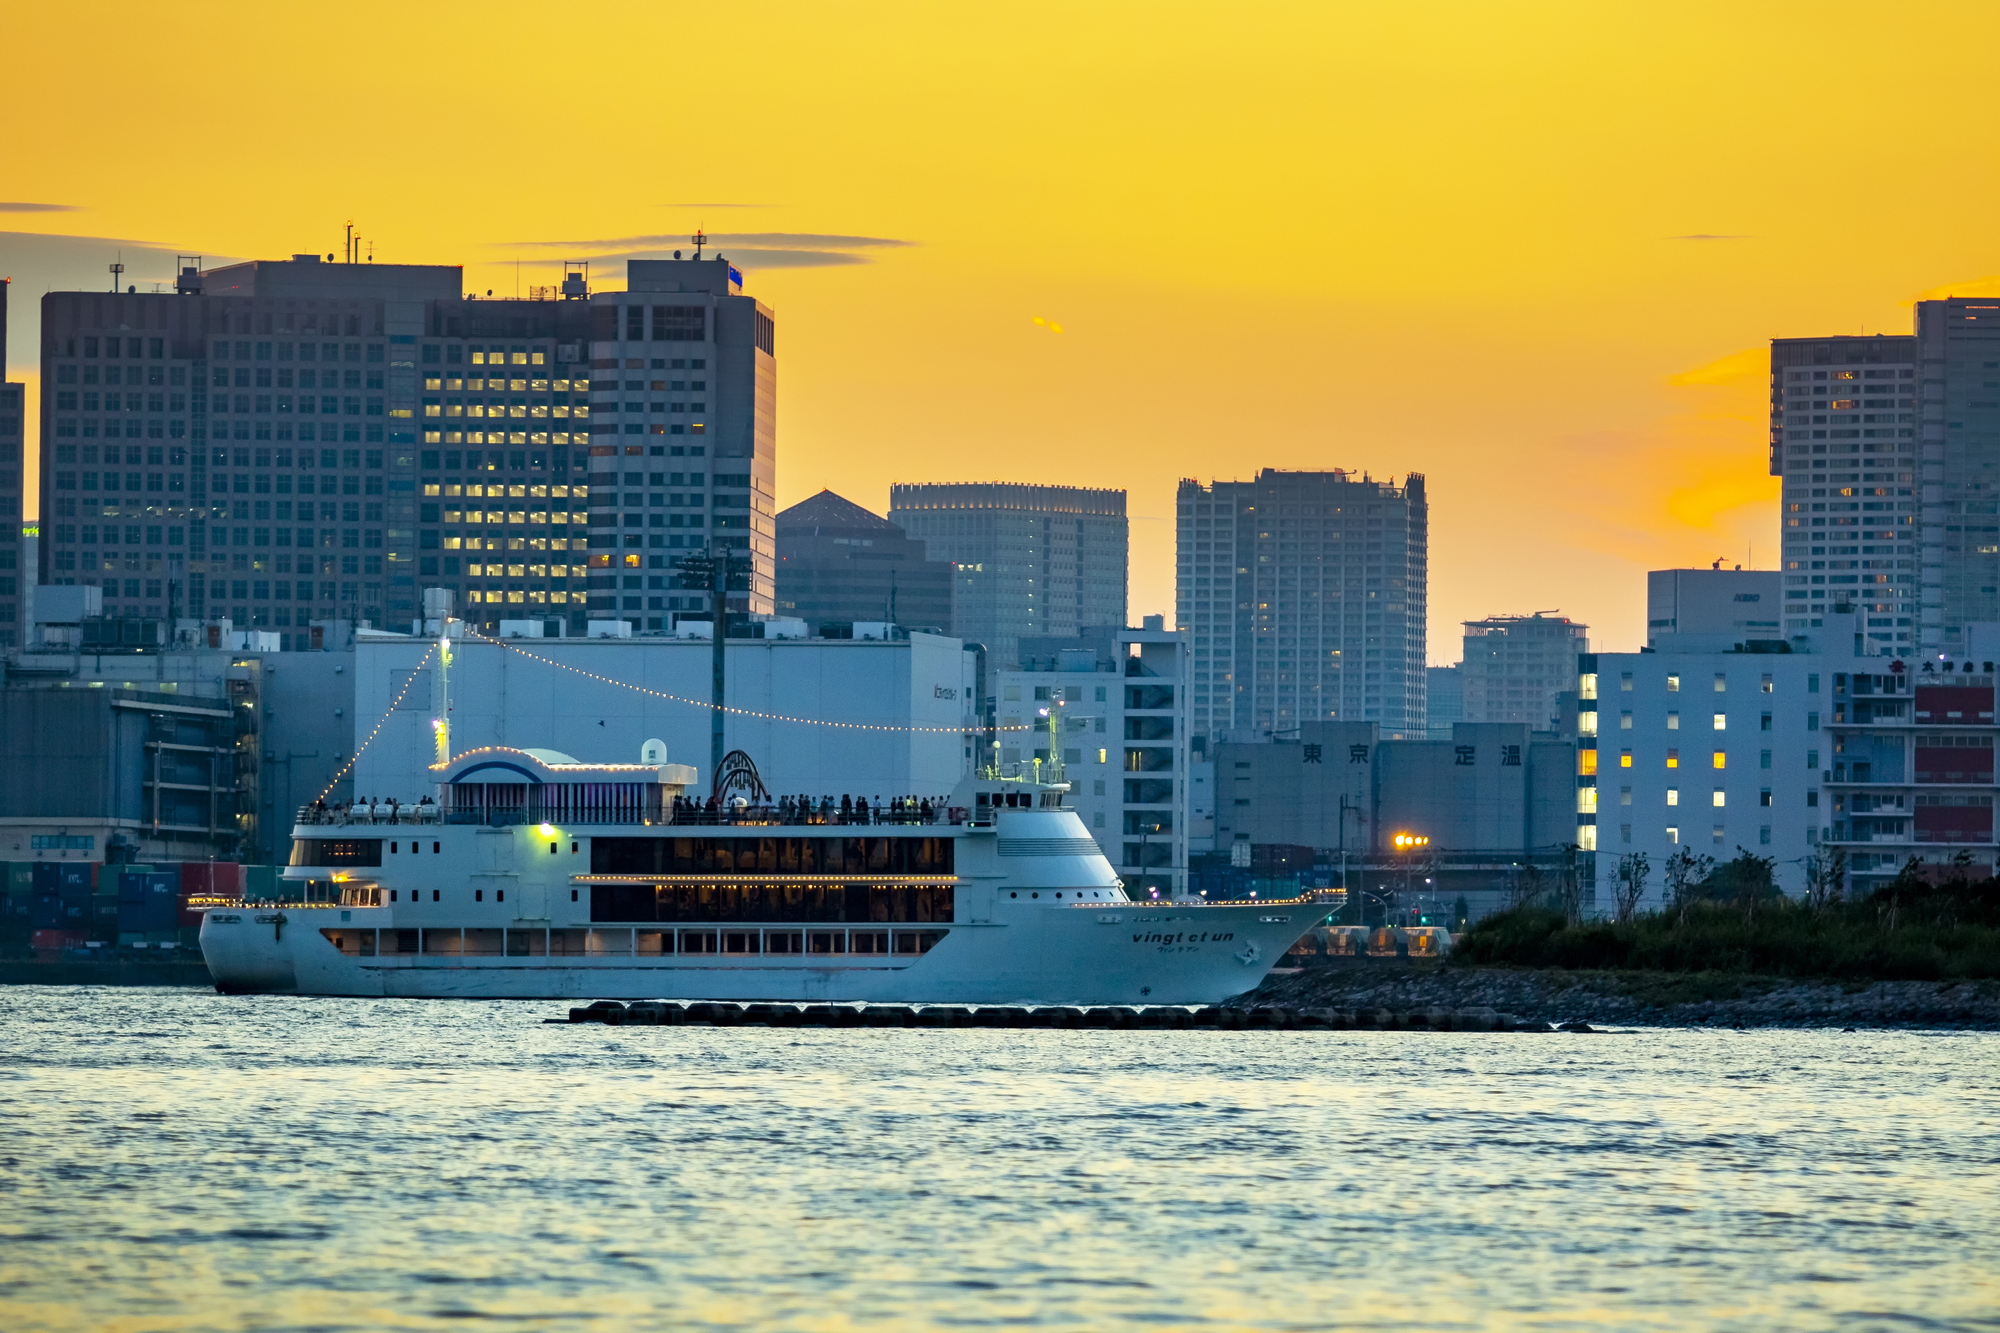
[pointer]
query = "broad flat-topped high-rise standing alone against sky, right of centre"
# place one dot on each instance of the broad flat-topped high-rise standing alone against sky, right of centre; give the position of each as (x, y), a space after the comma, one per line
(1305, 595)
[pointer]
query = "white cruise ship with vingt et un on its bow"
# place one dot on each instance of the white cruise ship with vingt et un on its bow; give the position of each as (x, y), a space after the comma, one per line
(541, 878)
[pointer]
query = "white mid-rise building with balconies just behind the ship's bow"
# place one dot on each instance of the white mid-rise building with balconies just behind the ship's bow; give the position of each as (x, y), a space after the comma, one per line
(1121, 696)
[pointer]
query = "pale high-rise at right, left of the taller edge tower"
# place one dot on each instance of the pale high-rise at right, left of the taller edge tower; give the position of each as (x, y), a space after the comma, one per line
(1843, 437)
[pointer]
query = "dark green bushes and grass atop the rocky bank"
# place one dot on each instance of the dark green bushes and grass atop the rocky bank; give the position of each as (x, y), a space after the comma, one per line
(1733, 920)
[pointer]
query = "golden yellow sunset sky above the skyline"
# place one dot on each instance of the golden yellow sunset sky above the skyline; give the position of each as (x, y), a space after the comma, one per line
(1531, 251)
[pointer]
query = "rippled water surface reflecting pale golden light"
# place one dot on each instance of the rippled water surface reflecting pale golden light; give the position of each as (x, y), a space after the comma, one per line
(175, 1160)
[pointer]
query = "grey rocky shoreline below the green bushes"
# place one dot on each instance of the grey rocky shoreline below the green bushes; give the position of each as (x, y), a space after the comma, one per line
(1651, 1000)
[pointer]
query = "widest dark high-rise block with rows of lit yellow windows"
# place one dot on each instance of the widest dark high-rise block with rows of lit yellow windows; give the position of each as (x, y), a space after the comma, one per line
(309, 443)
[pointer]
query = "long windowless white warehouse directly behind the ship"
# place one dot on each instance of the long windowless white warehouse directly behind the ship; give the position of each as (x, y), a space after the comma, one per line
(875, 718)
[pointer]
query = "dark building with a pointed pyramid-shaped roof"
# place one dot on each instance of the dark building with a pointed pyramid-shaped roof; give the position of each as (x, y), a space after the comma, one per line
(841, 563)
